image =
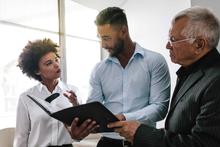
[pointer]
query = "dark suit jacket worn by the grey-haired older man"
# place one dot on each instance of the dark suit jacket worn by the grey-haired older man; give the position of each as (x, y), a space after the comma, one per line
(194, 116)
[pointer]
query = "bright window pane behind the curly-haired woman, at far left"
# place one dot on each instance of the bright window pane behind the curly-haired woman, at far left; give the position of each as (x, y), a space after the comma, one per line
(21, 21)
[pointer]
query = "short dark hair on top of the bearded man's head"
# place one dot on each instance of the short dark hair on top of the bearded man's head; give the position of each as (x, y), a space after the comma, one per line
(112, 15)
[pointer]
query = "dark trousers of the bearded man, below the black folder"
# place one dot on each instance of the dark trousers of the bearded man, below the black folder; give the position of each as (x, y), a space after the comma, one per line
(109, 142)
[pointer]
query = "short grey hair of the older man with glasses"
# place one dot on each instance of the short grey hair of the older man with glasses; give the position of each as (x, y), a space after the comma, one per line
(201, 23)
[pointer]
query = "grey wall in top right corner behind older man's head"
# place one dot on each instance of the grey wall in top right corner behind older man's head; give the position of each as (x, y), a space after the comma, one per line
(213, 5)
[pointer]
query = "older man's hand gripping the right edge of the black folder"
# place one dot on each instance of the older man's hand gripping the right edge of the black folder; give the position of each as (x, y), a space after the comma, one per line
(126, 129)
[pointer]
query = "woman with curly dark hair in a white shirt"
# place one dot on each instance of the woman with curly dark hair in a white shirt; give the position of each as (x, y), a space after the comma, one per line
(40, 60)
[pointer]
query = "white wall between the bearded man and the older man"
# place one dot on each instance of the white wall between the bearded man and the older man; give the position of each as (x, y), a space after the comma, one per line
(149, 23)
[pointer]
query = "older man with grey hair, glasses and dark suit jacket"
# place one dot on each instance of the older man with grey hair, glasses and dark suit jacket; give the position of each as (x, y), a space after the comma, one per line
(194, 116)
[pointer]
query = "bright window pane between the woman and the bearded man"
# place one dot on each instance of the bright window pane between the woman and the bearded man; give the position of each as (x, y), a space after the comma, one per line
(82, 46)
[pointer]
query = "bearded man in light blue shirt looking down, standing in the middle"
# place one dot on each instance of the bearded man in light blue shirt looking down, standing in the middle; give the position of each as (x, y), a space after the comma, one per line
(133, 83)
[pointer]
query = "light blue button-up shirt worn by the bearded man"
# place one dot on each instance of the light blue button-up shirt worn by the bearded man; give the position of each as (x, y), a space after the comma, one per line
(140, 91)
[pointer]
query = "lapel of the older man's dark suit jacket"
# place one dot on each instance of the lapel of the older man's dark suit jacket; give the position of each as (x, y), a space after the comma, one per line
(190, 81)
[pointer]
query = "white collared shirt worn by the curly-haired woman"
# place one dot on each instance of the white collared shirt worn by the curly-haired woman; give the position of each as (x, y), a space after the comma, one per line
(34, 127)
